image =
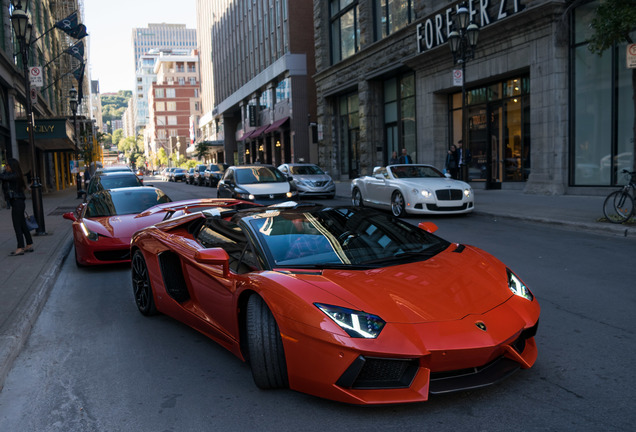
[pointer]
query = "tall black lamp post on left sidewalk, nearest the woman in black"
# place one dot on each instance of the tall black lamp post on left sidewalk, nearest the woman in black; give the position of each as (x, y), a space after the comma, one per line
(23, 32)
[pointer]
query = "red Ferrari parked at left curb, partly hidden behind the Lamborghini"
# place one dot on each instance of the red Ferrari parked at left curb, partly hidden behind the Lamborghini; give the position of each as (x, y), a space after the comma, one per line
(103, 226)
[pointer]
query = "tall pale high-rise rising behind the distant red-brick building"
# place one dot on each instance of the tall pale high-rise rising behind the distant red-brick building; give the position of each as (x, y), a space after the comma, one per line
(148, 43)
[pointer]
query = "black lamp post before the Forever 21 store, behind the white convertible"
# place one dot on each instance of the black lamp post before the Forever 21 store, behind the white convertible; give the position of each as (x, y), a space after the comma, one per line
(463, 42)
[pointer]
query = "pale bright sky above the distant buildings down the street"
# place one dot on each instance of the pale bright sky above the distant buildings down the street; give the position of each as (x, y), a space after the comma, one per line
(109, 24)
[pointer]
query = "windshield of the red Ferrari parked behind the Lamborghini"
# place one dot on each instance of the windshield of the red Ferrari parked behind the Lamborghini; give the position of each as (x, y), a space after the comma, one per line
(133, 201)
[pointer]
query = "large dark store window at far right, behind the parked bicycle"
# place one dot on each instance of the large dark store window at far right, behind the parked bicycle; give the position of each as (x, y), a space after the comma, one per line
(601, 143)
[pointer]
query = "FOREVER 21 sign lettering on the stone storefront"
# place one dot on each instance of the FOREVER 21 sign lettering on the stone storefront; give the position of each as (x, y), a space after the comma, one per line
(435, 29)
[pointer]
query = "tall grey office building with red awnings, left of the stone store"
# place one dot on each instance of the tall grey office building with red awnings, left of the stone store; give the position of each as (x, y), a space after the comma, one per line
(262, 64)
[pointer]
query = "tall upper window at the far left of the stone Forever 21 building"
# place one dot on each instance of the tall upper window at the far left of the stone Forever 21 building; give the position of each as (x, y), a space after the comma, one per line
(345, 31)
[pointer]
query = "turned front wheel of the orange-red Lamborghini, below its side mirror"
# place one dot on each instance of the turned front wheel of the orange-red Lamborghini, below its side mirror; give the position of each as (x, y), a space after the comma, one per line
(265, 346)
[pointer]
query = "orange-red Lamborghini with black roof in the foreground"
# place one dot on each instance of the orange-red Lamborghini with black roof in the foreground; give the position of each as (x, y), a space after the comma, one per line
(347, 304)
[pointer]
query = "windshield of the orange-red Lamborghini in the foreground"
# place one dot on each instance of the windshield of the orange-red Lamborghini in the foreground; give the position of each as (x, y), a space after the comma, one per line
(341, 237)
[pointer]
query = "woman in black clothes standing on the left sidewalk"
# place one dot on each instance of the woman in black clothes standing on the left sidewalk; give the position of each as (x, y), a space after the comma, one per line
(16, 186)
